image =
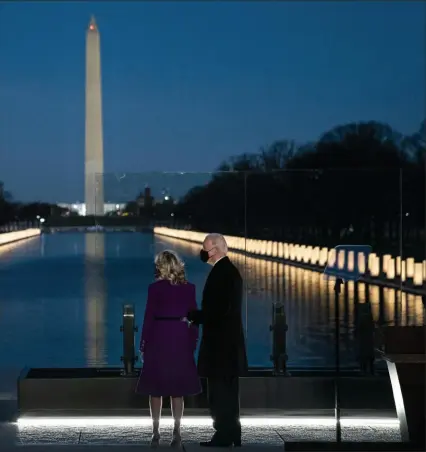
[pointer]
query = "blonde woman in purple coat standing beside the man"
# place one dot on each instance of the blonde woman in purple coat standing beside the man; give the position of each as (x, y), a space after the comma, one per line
(168, 343)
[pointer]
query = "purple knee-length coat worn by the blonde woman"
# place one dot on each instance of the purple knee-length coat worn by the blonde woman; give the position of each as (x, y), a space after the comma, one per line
(168, 346)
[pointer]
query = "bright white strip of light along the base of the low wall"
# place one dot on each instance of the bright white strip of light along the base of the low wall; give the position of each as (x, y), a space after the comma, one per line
(200, 421)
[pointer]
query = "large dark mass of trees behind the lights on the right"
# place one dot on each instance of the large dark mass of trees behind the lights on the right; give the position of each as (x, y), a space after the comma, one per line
(363, 179)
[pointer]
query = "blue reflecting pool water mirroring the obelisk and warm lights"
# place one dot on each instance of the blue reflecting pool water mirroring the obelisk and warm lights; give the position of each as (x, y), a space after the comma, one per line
(61, 298)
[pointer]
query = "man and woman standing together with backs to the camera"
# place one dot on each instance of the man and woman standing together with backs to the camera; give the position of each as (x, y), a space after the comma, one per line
(170, 335)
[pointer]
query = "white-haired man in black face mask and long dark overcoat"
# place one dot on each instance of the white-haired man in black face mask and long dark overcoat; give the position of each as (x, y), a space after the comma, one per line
(222, 357)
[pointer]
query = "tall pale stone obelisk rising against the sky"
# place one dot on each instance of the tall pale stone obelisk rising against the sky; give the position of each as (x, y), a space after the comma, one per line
(94, 149)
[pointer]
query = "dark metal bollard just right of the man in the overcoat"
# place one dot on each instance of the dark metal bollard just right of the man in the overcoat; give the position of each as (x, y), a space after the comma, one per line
(279, 339)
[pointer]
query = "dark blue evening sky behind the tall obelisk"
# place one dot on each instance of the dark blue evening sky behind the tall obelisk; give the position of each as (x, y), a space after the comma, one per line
(185, 85)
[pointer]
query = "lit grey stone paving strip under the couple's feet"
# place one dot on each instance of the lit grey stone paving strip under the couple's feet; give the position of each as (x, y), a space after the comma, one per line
(15, 435)
